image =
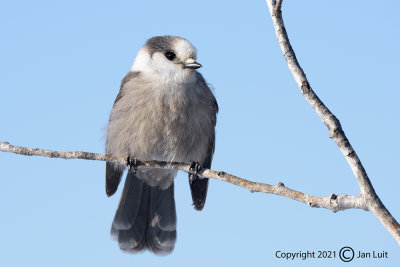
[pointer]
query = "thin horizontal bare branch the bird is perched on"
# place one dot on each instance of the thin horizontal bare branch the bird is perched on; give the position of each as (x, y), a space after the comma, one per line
(333, 202)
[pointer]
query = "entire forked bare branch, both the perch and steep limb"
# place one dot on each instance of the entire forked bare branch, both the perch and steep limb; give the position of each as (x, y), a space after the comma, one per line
(367, 200)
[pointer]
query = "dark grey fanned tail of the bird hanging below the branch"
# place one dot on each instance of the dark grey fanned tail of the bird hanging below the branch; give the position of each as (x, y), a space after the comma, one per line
(146, 218)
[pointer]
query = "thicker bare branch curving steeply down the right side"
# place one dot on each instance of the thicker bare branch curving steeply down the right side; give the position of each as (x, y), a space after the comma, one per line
(367, 192)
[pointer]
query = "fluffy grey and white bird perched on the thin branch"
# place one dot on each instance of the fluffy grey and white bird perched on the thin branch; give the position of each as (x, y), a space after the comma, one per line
(165, 110)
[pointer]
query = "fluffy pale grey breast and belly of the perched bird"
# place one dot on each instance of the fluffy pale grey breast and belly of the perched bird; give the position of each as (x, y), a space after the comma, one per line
(162, 123)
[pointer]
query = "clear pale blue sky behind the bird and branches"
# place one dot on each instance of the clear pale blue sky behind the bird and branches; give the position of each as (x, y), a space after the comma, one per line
(61, 64)
